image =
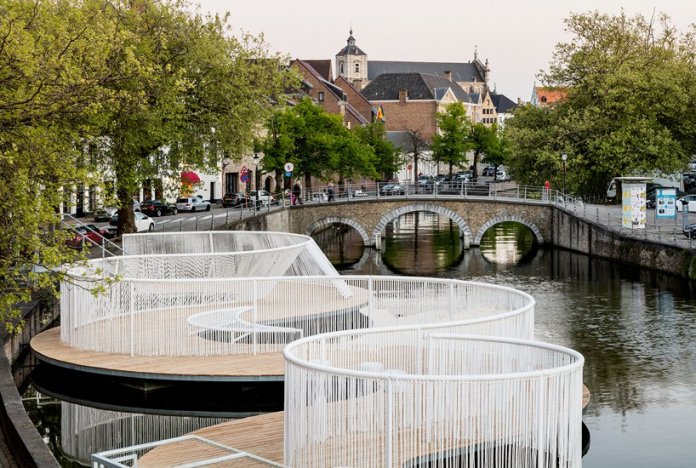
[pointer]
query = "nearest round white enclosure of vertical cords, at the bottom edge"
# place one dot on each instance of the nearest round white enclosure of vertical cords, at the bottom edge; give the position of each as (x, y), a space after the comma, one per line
(411, 397)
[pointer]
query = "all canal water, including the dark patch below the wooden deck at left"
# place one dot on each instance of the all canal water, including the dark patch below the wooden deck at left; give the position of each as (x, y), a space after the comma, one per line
(636, 329)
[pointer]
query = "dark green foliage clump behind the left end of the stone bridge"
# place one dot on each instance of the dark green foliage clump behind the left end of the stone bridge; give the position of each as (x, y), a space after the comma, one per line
(316, 142)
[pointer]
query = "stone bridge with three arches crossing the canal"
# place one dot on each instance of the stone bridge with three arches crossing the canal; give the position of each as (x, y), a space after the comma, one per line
(474, 217)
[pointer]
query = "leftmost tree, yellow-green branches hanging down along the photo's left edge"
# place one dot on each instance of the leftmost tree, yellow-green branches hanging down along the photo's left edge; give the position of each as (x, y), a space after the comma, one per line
(52, 67)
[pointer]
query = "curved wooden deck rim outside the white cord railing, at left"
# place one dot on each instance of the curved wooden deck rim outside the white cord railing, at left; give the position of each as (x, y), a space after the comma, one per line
(238, 368)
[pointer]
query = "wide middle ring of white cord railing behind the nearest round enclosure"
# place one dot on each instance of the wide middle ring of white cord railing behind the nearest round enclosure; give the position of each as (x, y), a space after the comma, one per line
(220, 316)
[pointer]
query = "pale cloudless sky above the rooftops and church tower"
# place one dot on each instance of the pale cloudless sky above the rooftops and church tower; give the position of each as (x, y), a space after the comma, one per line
(517, 37)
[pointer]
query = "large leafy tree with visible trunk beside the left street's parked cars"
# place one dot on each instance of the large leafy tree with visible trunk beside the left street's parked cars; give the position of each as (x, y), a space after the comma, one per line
(187, 93)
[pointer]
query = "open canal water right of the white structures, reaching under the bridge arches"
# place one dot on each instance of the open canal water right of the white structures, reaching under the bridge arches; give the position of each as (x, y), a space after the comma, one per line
(636, 329)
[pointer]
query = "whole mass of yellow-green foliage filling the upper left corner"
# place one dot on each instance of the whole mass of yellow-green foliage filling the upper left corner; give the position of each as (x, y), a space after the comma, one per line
(122, 89)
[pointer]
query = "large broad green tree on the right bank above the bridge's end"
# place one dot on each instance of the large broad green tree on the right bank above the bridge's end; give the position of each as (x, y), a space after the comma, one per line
(630, 88)
